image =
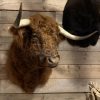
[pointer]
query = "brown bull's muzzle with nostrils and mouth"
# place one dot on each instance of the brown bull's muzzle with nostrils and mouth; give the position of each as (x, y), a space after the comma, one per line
(50, 61)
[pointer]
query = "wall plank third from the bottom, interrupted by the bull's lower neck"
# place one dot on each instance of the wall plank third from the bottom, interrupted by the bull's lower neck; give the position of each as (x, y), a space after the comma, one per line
(67, 72)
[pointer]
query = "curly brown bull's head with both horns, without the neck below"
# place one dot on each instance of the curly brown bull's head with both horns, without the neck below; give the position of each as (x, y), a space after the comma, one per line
(39, 36)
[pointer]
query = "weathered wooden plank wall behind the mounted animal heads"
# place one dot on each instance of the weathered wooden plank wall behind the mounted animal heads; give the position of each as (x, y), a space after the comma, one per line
(77, 66)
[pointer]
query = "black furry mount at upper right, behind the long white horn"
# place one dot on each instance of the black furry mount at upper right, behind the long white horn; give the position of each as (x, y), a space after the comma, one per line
(81, 17)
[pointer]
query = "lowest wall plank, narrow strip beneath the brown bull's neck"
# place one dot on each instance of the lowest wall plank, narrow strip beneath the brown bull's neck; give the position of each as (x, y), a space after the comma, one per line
(65, 96)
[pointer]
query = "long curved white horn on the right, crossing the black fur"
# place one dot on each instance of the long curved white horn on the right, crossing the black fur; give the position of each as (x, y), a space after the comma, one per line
(74, 37)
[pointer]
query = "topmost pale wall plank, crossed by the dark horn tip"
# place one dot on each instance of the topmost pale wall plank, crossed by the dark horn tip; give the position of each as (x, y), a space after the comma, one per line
(37, 5)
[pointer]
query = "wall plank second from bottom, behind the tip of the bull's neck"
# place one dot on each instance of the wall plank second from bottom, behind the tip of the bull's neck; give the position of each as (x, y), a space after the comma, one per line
(52, 86)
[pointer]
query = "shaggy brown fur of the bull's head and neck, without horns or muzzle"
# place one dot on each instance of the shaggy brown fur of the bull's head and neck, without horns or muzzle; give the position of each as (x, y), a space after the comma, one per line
(23, 66)
